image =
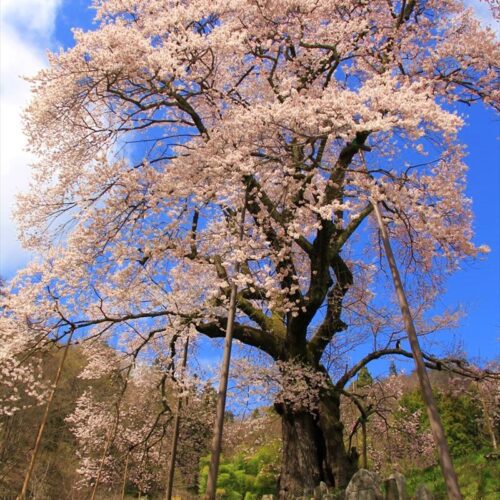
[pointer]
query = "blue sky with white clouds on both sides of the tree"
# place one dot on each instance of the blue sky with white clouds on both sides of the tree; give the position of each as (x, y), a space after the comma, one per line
(29, 27)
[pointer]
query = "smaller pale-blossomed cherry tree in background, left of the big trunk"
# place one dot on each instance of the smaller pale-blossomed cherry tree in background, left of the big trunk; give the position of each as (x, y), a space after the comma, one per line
(123, 423)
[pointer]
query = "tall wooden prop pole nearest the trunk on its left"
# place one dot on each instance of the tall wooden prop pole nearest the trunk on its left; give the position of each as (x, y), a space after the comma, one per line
(224, 377)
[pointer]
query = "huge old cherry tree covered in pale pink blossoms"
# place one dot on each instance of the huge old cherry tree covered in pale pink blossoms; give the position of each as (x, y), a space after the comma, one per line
(155, 130)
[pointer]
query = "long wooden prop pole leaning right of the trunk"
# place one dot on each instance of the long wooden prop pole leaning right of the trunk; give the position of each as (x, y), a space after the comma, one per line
(445, 461)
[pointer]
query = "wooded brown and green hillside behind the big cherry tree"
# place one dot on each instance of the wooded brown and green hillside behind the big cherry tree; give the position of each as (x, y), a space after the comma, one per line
(386, 429)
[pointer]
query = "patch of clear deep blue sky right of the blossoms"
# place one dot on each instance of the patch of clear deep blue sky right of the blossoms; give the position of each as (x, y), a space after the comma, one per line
(477, 285)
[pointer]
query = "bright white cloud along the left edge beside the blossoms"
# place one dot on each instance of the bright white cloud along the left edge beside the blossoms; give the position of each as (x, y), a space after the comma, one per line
(27, 27)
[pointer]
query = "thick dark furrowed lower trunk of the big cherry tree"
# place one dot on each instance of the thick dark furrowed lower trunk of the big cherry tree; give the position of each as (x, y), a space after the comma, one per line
(313, 449)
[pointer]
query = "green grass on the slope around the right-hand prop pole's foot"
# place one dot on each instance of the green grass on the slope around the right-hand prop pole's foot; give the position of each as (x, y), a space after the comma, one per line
(479, 478)
